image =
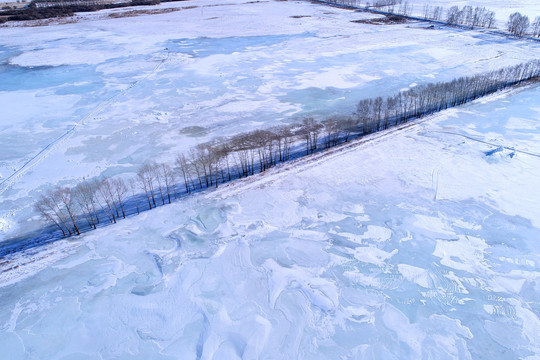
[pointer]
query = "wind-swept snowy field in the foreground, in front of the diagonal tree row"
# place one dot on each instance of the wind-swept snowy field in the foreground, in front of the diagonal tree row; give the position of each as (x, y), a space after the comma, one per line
(414, 244)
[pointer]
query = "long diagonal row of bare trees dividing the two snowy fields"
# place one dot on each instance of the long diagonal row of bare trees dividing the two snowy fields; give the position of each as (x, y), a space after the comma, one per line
(105, 200)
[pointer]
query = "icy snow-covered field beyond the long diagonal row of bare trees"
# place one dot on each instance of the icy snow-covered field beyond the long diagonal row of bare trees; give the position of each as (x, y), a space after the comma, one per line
(150, 86)
